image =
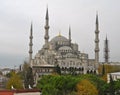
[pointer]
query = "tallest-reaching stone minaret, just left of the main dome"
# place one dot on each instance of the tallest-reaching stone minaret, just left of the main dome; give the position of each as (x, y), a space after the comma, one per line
(46, 37)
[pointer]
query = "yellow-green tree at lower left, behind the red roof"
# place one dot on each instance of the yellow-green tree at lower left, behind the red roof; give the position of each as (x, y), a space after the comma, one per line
(14, 81)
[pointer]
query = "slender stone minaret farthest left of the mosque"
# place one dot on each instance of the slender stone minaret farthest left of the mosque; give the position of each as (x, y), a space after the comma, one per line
(30, 44)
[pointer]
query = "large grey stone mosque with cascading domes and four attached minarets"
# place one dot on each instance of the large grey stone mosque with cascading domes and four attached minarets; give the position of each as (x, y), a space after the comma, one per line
(61, 51)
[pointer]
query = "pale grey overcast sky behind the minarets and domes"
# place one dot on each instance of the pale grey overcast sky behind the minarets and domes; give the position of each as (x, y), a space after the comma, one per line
(17, 15)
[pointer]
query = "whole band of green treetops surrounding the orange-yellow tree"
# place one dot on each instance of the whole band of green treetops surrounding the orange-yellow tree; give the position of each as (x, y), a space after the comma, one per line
(66, 84)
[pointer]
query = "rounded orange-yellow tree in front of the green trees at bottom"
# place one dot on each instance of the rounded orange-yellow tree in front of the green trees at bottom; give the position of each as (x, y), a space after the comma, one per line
(85, 87)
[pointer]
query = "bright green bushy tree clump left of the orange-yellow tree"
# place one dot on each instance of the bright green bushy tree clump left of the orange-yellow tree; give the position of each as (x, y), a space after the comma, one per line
(58, 85)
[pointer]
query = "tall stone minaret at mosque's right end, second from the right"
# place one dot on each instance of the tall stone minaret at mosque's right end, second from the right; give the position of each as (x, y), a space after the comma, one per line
(97, 42)
